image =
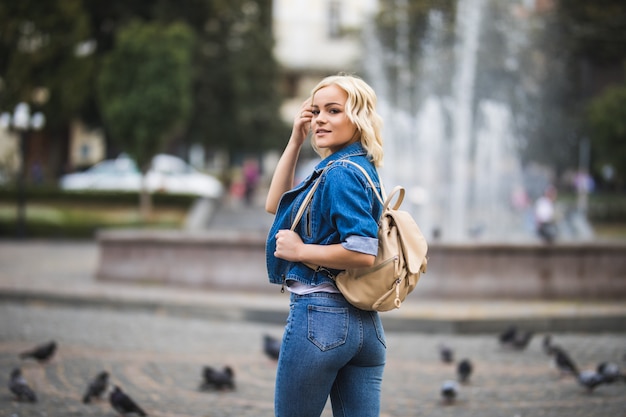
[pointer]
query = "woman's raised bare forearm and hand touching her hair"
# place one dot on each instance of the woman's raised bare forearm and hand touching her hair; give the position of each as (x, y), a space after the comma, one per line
(282, 180)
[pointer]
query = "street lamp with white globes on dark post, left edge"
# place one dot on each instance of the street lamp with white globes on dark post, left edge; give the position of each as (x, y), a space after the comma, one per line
(22, 121)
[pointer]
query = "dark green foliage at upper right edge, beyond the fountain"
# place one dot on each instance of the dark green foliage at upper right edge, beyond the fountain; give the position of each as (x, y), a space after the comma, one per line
(595, 37)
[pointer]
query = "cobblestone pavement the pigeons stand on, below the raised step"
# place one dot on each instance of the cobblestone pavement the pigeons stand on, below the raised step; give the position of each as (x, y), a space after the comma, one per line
(157, 359)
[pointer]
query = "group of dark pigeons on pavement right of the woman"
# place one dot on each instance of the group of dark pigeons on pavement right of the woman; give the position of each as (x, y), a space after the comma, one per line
(515, 339)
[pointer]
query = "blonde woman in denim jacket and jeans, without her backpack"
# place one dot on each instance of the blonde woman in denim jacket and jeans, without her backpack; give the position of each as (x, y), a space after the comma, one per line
(329, 347)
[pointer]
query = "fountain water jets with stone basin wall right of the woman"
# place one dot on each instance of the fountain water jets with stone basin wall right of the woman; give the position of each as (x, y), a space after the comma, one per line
(452, 91)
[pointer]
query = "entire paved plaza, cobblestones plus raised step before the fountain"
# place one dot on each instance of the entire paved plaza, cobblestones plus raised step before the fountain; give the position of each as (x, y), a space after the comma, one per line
(155, 340)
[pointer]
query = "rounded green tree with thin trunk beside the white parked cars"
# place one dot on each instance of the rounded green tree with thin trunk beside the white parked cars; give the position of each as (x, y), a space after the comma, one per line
(144, 90)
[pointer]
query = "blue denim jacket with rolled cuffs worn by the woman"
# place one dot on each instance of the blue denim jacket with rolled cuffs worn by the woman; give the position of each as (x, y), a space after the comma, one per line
(344, 209)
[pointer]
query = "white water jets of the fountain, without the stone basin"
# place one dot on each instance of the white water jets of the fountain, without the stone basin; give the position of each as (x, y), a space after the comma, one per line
(451, 140)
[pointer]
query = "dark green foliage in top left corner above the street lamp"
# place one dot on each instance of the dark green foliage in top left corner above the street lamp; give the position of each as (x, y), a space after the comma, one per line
(38, 49)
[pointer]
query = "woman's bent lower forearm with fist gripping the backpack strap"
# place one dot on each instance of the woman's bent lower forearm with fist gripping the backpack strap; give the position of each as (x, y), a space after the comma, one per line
(289, 246)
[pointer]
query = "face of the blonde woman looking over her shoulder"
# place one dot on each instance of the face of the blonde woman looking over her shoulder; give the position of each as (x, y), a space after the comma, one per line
(332, 129)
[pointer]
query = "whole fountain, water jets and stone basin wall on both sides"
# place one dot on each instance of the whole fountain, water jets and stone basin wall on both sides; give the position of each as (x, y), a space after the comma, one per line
(450, 140)
